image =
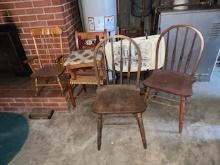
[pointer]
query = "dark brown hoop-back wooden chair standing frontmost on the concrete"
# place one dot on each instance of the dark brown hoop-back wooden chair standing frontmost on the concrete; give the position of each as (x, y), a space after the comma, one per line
(124, 97)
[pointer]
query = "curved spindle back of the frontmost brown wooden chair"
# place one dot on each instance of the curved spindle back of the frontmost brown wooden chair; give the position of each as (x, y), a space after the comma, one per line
(121, 58)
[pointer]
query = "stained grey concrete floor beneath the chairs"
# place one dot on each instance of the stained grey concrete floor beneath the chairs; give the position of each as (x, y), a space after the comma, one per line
(70, 138)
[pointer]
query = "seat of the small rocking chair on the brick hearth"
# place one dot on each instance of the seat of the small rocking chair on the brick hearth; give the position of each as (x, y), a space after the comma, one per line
(49, 71)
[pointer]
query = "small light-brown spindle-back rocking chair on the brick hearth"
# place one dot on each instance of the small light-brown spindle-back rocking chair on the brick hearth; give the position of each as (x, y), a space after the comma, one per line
(49, 50)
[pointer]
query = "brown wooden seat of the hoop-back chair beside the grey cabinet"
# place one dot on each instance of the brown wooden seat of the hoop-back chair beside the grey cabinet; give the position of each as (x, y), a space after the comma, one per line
(171, 82)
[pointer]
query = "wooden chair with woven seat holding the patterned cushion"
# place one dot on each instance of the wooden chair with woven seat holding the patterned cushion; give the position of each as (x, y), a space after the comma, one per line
(84, 75)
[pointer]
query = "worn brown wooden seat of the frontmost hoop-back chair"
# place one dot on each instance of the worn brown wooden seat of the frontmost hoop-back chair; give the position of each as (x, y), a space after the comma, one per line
(118, 99)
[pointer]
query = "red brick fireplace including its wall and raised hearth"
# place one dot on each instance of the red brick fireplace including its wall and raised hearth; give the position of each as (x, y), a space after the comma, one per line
(28, 14)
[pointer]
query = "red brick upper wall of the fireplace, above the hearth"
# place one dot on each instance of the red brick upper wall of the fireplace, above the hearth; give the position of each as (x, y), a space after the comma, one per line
(27, 14)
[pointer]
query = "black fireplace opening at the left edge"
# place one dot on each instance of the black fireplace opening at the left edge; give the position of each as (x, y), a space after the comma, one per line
(12, 54)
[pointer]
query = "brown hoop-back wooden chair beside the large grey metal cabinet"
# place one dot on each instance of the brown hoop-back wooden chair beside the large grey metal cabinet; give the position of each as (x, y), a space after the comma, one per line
(183, 51)
